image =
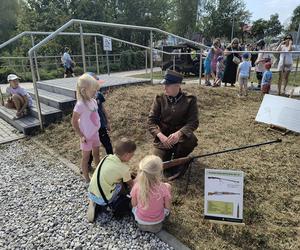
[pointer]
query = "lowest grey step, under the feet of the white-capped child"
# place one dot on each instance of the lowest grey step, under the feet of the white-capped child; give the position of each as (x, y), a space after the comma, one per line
(27, 125)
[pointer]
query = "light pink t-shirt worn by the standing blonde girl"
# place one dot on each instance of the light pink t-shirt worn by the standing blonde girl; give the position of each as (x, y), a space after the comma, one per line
(89, 122)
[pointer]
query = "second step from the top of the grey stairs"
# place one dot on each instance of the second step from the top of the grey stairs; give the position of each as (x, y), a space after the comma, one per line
(59, 101)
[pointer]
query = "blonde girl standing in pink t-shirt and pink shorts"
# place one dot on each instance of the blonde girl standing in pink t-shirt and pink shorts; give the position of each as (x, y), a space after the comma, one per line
(86, 121)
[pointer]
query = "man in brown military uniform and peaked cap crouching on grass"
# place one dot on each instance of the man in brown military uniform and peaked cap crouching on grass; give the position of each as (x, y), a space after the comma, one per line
(172, 119)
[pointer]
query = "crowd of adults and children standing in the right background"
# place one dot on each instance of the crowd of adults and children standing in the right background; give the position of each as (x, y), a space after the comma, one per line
(231, 64)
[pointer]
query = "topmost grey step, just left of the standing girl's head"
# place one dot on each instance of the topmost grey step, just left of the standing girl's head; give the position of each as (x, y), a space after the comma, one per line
(63, 89)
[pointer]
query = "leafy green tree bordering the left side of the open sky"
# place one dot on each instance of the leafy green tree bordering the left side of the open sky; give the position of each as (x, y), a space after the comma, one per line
(220, 15)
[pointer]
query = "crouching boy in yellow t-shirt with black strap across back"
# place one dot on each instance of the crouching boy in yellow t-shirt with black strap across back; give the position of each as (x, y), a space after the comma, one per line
(114, 172)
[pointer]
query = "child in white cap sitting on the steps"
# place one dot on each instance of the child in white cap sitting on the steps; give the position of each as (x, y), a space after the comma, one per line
(18, 98)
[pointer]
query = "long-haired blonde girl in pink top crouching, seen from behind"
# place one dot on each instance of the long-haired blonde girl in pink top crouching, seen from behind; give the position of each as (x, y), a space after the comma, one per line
(150, 197)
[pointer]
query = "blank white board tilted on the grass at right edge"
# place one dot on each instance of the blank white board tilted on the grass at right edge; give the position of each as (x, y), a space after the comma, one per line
(280, 111)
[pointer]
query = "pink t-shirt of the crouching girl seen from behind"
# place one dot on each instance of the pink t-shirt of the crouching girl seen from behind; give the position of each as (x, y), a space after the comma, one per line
(159, 195)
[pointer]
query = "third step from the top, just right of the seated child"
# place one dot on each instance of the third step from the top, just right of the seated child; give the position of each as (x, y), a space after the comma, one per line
(49, 114)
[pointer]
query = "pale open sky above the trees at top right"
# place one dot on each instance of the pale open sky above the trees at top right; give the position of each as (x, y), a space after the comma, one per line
(265, 8)
